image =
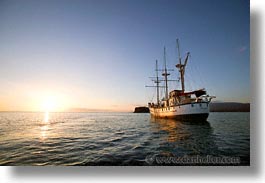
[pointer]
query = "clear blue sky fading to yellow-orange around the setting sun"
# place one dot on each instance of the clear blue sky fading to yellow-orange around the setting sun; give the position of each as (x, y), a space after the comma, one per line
(99, 54)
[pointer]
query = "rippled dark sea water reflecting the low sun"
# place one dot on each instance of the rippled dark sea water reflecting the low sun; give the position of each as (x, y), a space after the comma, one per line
(121, 139)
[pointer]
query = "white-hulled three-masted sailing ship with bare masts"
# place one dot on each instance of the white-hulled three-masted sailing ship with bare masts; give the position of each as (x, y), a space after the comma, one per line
(179, 104)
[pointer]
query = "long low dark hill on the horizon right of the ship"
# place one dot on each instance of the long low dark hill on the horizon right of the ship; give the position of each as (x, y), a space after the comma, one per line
(229, 107)
